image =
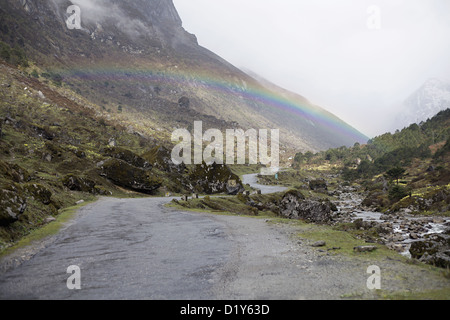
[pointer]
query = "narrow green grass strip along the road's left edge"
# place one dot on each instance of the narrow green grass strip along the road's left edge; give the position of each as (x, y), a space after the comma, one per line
(48, 230)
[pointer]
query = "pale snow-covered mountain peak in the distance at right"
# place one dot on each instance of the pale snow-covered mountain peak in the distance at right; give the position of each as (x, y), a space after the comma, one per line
(425, 103)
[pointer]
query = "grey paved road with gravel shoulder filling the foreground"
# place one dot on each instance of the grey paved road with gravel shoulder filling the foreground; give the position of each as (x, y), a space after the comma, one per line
(138, 249)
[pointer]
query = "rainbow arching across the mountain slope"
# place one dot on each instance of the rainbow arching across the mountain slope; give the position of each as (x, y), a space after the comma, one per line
(257, 94)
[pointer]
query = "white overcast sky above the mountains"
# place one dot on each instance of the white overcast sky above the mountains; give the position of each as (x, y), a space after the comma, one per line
(359, 59)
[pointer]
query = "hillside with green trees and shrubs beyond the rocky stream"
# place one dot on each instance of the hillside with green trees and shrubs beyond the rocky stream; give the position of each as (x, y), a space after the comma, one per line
(405, 170)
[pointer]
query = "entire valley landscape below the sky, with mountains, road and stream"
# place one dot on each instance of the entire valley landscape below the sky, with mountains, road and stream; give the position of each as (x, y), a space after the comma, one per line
(89, 117)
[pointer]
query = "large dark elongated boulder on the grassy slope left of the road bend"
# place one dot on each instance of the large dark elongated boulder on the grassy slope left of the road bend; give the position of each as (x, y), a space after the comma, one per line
(127, 176)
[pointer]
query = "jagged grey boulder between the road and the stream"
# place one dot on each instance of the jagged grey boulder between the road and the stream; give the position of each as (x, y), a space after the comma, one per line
(294, 206)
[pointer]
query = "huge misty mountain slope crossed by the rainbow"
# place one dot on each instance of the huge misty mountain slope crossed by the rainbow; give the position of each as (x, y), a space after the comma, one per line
(135, 64)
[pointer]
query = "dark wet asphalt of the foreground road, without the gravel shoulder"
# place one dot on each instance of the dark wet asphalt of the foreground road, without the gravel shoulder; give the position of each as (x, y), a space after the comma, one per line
(126, 249)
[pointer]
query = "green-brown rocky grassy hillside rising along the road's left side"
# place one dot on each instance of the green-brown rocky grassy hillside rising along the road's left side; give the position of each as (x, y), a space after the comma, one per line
(57, 149)
